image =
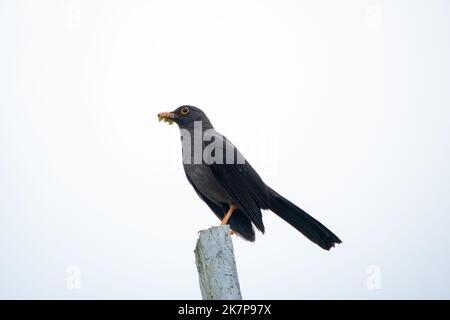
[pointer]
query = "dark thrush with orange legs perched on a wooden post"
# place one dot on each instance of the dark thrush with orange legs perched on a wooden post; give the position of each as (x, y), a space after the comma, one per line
(230, 186)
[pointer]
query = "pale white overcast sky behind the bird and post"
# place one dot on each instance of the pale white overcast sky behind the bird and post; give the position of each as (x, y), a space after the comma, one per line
(342, 106)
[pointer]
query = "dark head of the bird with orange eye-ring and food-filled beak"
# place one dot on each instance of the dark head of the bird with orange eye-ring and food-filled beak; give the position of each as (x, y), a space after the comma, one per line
(185, 116)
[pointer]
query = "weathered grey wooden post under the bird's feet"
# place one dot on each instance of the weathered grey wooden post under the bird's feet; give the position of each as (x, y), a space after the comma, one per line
(214, 257)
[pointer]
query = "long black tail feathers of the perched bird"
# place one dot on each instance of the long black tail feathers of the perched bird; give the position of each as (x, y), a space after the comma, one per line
(303, 222)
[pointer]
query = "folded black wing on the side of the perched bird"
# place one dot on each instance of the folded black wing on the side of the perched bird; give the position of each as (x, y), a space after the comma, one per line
(243, 184)
